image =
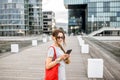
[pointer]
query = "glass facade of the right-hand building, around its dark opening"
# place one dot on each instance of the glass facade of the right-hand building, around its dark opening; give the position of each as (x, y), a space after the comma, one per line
(99, 13)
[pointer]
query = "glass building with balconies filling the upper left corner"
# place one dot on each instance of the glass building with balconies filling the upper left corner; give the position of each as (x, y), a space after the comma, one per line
(20, 17)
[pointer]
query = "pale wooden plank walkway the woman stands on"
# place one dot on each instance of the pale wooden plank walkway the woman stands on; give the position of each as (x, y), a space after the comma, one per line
(29, 63)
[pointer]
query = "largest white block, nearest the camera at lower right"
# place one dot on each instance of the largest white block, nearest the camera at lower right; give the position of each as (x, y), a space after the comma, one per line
(95, 68)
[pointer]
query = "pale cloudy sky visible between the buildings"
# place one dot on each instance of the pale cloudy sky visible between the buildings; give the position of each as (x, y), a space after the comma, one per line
(56, 6)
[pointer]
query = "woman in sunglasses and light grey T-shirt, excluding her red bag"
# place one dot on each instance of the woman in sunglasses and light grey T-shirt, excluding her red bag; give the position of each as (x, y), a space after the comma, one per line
(58, 37)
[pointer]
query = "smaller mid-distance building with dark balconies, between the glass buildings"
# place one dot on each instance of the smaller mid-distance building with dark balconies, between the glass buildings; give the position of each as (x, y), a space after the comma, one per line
(48, 21)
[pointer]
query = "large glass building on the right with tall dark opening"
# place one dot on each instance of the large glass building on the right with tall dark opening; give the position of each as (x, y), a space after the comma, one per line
(91, 15)
